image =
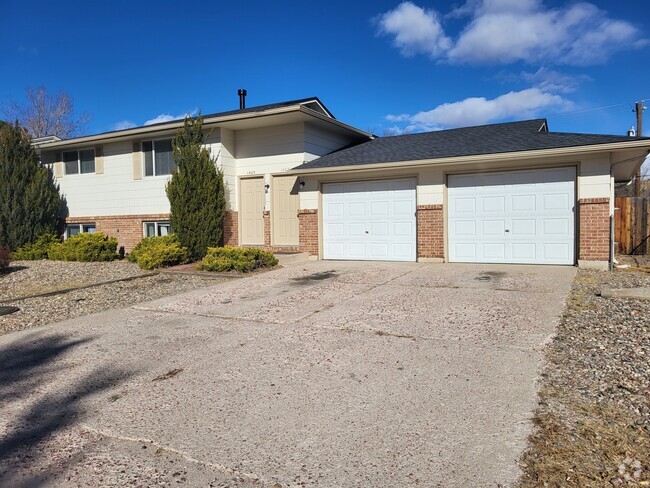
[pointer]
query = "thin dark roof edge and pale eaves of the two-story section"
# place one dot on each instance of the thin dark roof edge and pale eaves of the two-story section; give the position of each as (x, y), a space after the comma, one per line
(311, 105)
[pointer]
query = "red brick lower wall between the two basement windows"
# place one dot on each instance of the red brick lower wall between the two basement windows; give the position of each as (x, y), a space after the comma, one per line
(128, 229)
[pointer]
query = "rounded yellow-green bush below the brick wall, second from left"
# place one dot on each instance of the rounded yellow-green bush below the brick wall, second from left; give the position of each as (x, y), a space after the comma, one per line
(85, 247)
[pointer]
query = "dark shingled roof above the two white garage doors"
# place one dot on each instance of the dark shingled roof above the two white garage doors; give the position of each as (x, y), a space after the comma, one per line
(508, 137)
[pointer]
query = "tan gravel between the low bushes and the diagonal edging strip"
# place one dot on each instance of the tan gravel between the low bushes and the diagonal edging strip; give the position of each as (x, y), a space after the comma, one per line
(32, 277)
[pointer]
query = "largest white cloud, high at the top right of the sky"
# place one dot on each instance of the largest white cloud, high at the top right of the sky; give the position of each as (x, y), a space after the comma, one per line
(508, 31)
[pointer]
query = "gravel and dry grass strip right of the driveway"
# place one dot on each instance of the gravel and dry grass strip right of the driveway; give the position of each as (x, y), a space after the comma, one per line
(593, 422)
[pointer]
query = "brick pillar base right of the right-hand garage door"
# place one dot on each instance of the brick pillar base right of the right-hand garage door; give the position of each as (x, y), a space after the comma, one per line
(594, 229)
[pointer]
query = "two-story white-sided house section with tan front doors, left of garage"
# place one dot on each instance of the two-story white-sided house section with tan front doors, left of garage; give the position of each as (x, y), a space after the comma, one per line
(115, 182)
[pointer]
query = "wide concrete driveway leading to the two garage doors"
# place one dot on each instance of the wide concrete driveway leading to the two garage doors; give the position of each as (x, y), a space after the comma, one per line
(321, 374)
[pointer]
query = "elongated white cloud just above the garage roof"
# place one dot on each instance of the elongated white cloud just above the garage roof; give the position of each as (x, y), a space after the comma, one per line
(479, 110)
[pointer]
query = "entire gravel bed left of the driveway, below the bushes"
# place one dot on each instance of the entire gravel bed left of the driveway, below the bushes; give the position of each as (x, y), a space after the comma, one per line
(34, 277)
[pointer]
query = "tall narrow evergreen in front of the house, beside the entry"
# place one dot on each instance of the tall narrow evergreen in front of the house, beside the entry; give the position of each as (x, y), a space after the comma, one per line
(196, 191)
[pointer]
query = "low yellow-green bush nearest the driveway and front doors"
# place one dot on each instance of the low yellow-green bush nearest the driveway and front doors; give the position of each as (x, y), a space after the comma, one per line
(244, 260)
